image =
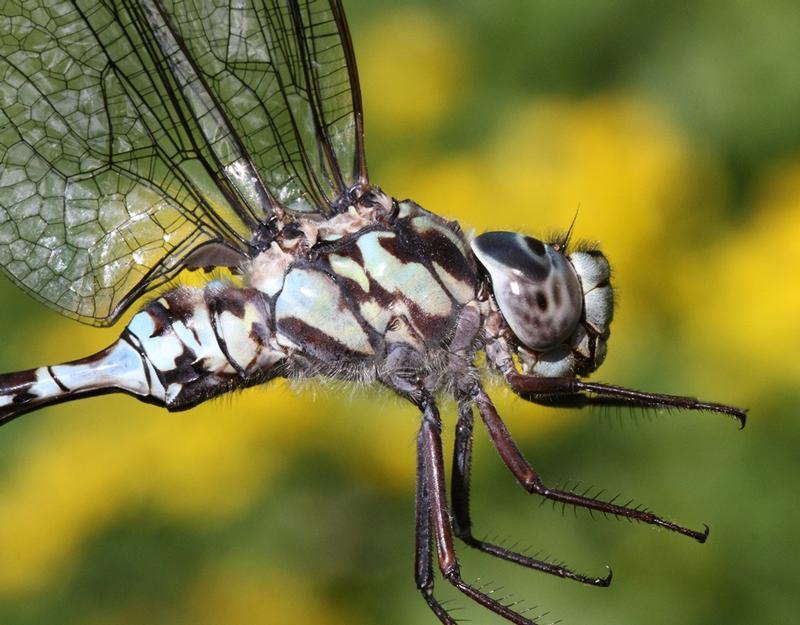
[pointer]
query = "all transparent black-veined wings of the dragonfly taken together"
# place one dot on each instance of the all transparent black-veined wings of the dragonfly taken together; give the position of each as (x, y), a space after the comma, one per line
(137, 138)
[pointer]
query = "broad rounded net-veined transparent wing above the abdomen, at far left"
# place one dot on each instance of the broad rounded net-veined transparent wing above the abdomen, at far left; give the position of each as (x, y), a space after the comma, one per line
(105, 180)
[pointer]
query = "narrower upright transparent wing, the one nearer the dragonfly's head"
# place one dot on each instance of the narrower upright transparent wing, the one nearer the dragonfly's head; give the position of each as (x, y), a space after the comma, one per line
(285, 76)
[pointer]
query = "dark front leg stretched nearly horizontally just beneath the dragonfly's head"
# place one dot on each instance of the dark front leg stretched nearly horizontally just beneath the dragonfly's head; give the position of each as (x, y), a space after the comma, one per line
(575, 393)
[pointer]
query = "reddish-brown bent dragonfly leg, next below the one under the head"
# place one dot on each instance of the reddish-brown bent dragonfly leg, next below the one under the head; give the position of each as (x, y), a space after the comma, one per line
(529, 479)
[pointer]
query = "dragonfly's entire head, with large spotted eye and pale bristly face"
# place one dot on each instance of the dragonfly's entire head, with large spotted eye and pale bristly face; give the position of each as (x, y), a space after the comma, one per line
(558, 306)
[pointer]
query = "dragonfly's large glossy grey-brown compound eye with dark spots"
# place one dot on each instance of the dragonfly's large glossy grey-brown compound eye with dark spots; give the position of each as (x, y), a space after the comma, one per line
(536, 288)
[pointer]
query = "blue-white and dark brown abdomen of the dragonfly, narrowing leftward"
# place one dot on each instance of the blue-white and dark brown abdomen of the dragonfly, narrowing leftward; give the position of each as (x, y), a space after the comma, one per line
(181, 349)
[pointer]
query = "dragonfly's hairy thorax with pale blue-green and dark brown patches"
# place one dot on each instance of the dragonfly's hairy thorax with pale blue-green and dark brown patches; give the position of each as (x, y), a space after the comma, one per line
(369, 294)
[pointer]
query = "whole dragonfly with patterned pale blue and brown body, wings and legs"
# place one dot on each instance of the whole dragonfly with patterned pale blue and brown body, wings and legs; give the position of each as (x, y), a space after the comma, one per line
(143, 138)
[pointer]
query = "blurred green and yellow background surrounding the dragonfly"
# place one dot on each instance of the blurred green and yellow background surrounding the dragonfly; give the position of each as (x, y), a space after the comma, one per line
(673, 129)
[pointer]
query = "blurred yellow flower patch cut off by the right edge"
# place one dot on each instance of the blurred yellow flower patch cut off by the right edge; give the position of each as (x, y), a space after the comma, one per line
(743, 305)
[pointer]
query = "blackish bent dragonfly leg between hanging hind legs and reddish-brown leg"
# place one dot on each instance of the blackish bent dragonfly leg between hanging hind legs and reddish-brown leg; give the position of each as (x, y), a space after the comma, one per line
(462, 523)
